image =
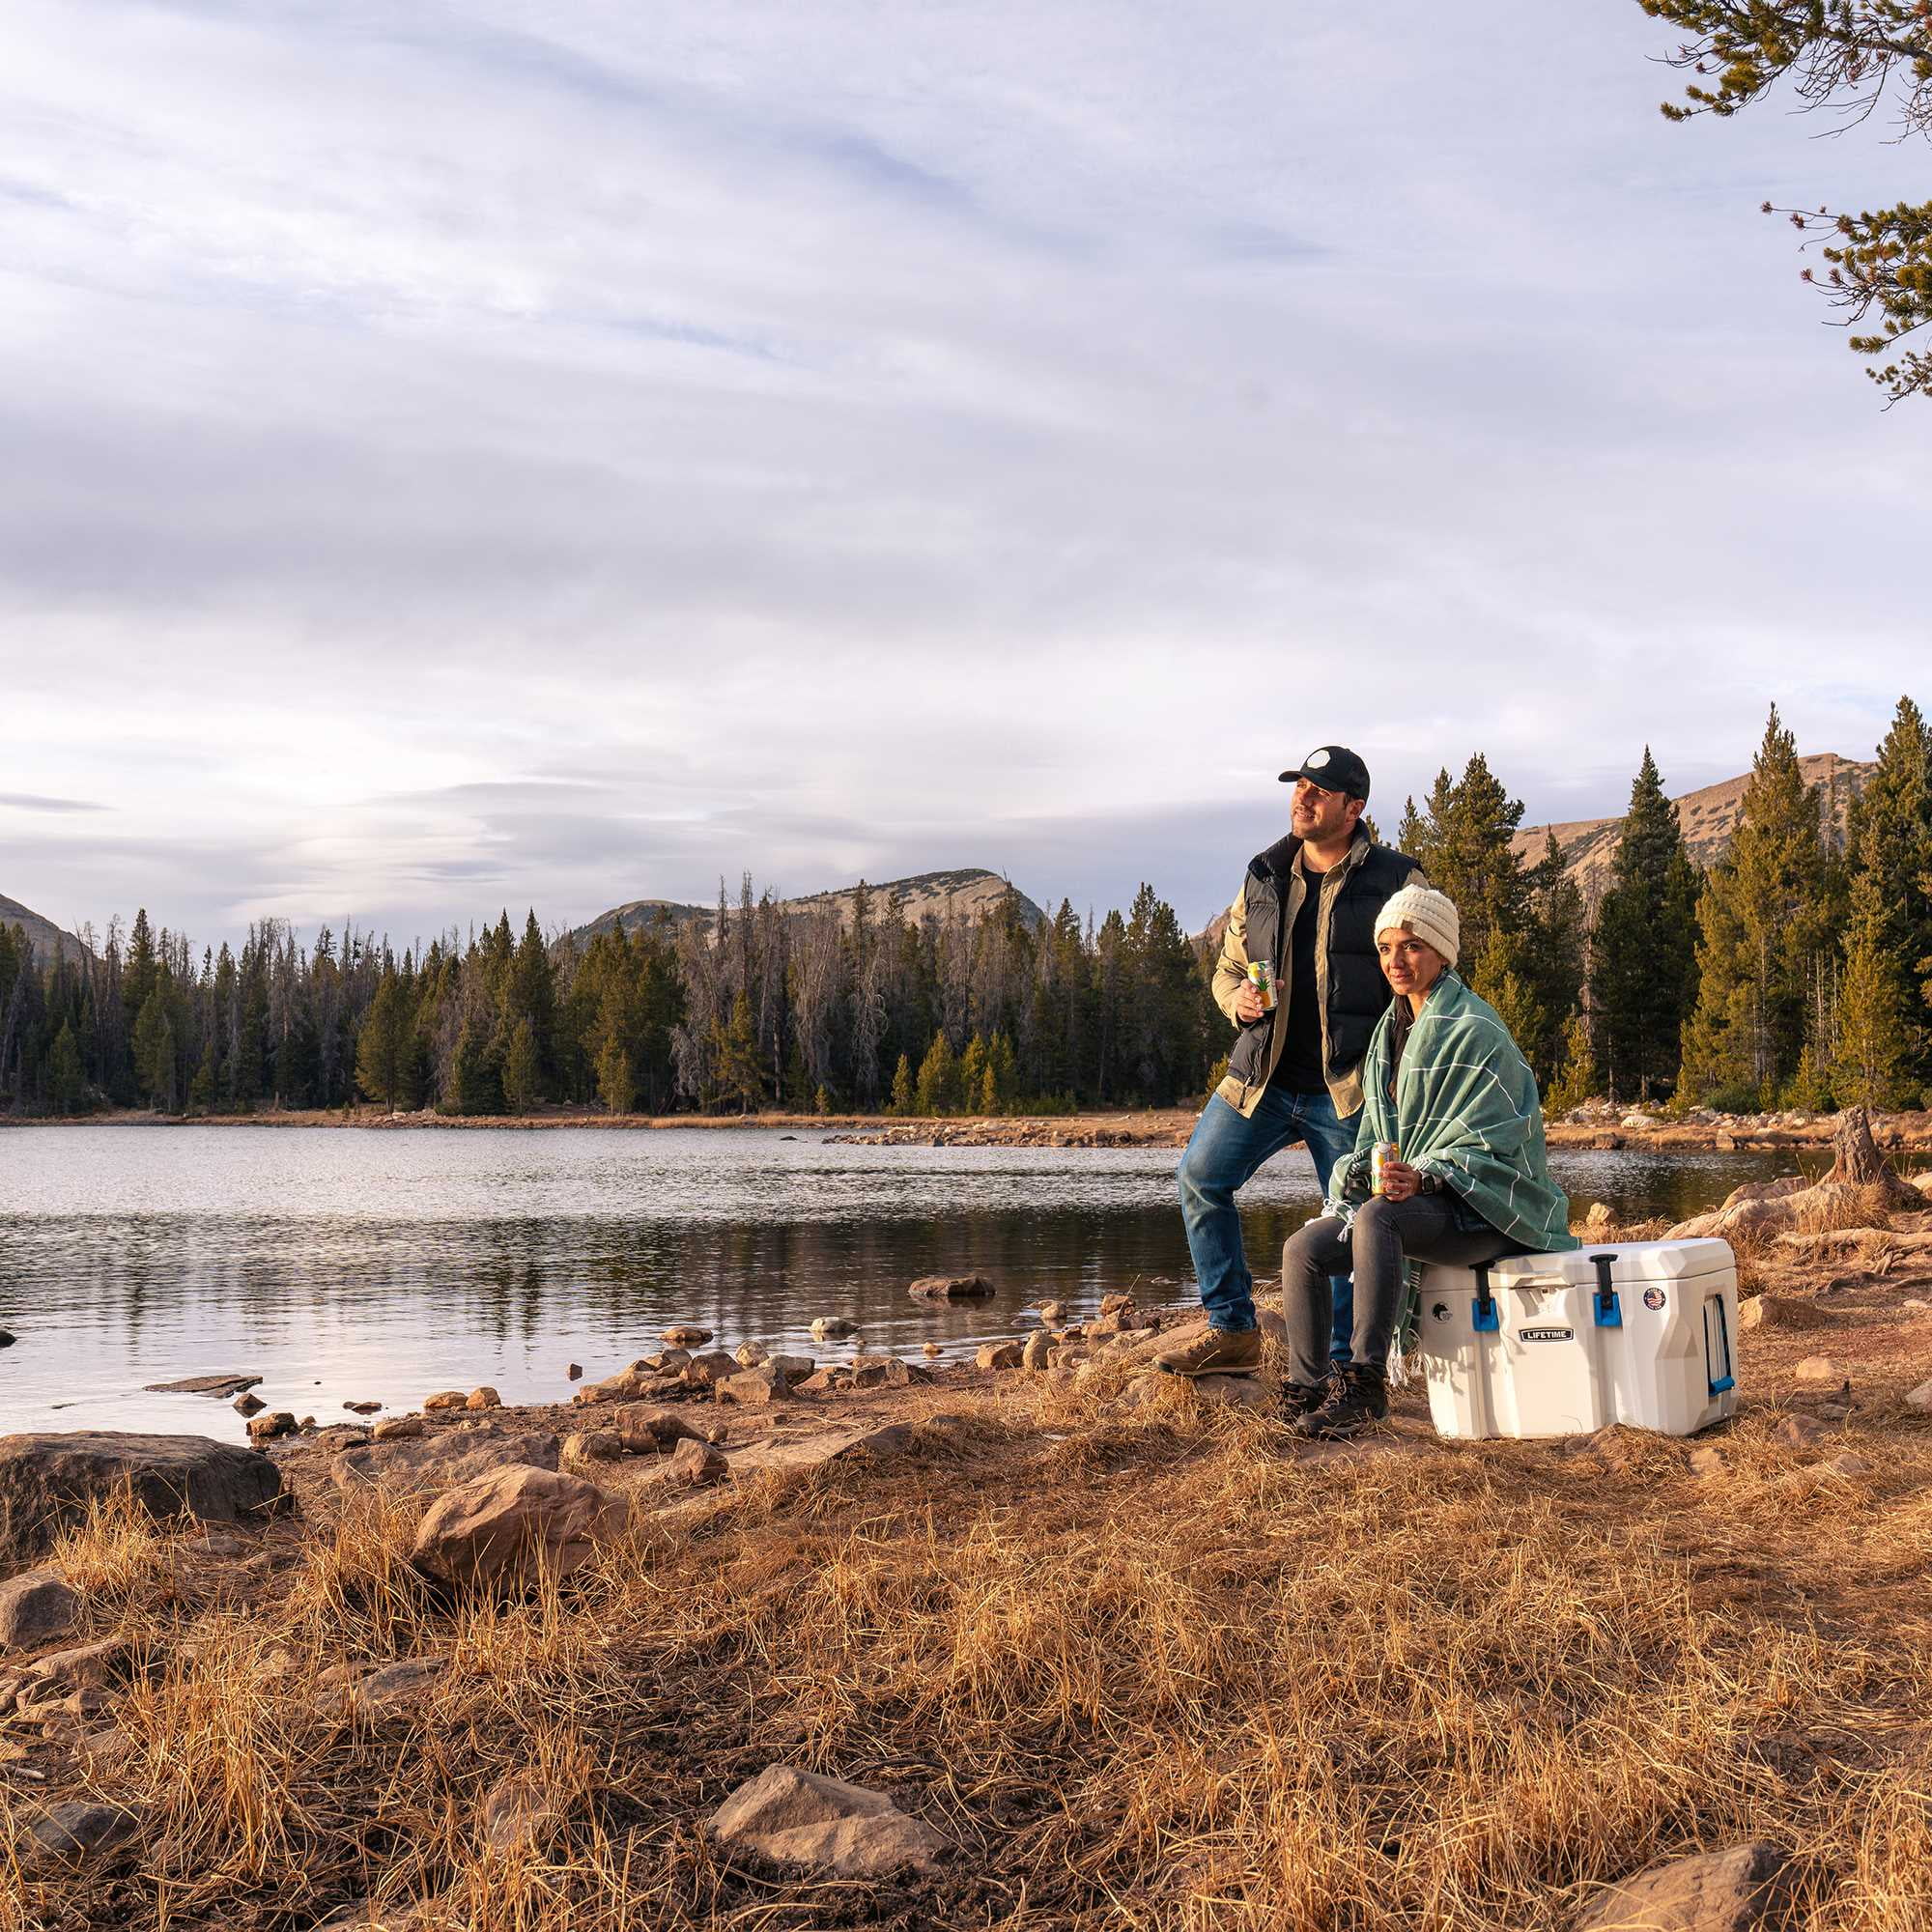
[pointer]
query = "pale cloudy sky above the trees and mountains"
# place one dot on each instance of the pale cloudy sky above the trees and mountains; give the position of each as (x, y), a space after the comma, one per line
(552, 455)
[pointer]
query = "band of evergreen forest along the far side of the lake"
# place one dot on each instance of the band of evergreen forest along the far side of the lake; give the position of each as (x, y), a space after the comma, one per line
(1796, 973)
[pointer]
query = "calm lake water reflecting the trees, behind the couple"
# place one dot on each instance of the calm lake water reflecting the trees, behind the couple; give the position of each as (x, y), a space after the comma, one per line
(385, 1264)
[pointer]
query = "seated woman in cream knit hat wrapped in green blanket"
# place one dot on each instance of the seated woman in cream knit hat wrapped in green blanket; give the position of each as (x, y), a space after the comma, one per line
(1452, 1091)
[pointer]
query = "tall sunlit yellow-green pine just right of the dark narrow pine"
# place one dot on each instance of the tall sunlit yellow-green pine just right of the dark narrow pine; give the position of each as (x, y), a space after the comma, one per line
(1763, 928)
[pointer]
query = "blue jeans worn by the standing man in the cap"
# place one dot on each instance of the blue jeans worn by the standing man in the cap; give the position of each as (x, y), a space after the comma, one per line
(1224, 1156)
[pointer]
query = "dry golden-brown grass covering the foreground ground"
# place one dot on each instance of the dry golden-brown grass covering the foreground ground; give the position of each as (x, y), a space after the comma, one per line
(1147, 1670)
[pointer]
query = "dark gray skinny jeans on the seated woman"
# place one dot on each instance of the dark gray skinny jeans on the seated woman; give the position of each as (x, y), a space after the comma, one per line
(1427, 1228)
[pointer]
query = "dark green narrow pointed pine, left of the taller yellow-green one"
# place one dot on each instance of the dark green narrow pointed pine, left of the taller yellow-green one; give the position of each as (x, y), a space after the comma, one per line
(1643, 959)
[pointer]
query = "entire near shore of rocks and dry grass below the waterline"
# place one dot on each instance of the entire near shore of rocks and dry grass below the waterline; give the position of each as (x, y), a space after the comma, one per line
(725, 1630)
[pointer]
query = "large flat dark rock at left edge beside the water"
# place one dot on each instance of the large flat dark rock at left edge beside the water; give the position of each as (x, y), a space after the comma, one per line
(47, 1481)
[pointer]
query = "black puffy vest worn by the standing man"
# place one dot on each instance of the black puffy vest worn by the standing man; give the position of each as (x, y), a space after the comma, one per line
(1357, 992)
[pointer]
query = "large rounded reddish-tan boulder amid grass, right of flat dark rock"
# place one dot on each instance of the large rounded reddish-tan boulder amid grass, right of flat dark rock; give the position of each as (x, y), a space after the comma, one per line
(513, 1525)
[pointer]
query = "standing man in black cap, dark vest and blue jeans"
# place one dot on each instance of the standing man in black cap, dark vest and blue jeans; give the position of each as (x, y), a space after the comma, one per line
(1309, 907)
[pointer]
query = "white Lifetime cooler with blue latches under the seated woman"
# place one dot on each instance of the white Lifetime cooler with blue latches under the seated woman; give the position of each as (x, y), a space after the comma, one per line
(1568, 1344)
